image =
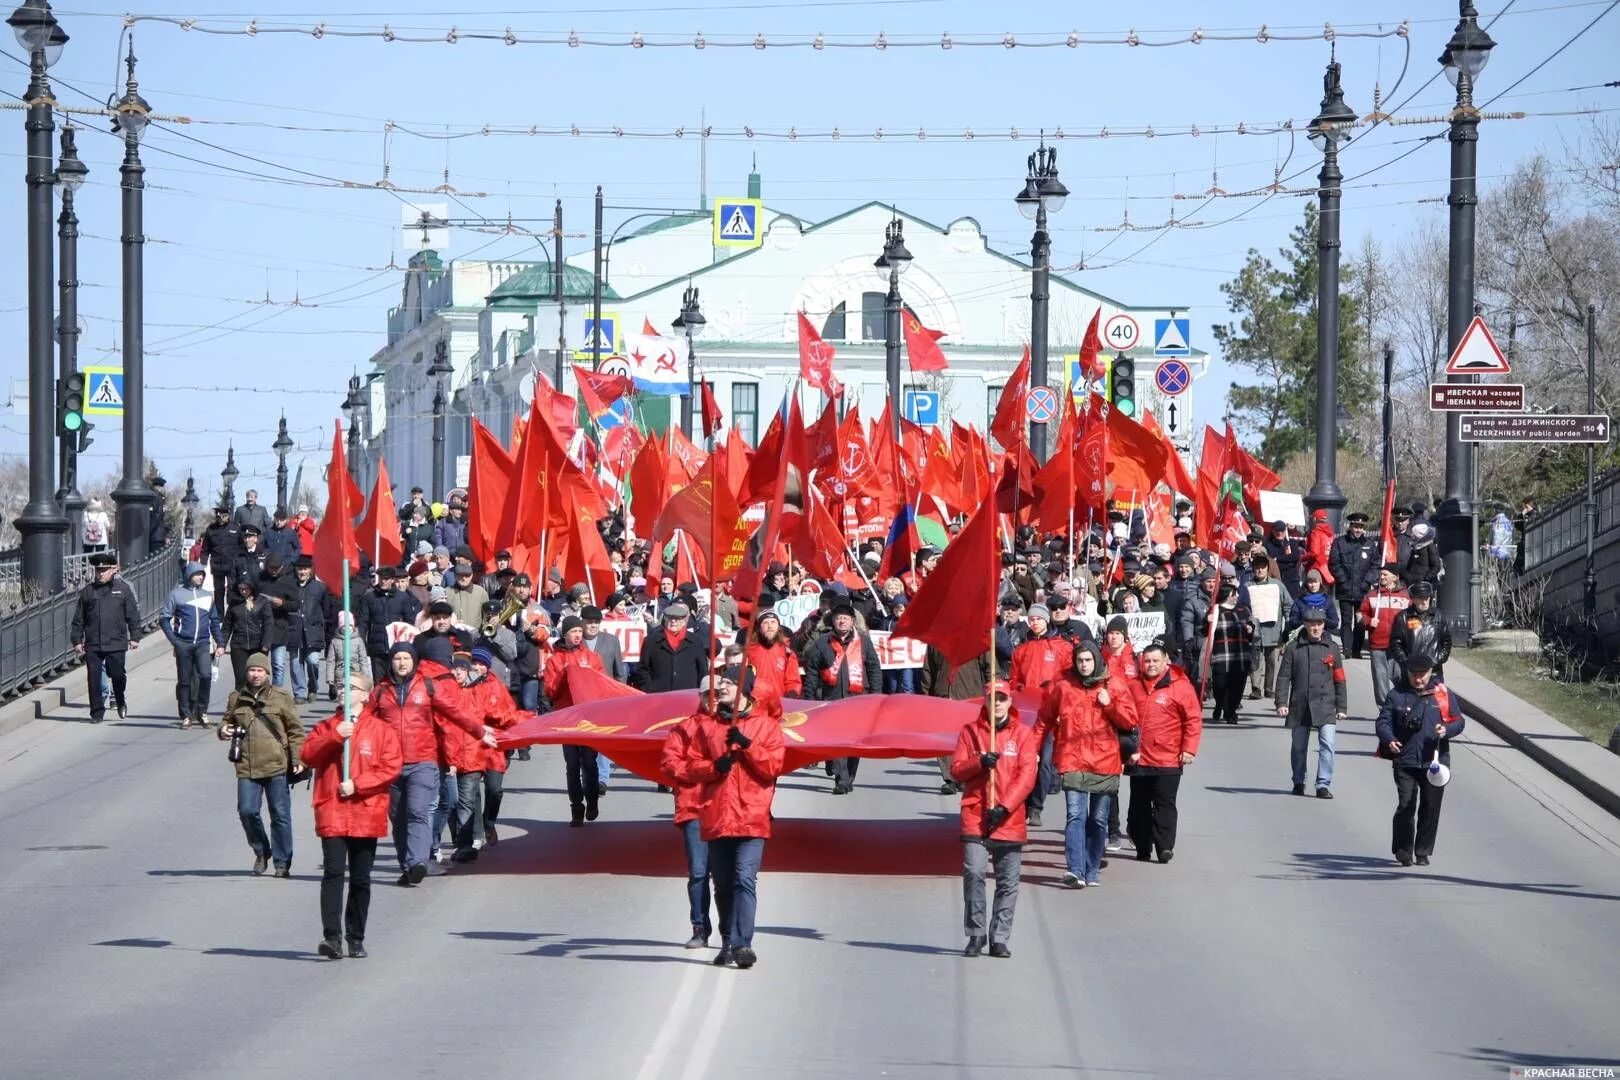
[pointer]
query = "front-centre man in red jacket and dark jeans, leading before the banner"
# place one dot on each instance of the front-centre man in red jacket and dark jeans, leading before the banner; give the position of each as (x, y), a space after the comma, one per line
(735, 755)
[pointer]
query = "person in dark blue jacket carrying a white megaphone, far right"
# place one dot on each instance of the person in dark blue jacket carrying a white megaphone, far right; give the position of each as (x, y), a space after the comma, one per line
(1417, 726)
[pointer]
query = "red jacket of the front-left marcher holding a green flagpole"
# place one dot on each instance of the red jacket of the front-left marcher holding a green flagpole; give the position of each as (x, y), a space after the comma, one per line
(375, 760)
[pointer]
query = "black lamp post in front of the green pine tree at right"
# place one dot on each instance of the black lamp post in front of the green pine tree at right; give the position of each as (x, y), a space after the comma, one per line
(1328, 132)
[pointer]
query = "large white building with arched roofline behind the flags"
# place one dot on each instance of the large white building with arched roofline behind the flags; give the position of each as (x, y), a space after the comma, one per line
(501, 323)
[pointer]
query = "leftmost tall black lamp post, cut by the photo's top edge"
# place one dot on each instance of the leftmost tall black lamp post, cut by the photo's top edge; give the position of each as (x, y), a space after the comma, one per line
(41, 524)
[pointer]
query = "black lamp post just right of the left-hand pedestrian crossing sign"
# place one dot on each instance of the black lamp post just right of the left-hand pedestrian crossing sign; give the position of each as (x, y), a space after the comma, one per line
(134, 496)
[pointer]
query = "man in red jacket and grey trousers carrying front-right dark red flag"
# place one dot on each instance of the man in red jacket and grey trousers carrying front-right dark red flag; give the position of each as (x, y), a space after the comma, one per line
(997, 772)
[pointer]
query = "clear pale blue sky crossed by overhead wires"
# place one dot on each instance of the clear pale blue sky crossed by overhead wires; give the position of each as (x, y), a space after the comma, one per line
(228, 231)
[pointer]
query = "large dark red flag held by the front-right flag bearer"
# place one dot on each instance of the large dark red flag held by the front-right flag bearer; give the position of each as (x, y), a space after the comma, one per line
(957, 603)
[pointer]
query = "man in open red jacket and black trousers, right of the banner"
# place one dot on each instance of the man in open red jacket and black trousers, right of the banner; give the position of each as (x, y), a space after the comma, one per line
(1172, 723)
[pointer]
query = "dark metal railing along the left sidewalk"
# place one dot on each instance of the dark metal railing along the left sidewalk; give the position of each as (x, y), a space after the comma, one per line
(35, 639)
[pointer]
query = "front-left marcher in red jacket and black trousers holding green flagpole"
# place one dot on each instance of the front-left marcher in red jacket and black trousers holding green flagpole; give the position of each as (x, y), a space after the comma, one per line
(351, 815)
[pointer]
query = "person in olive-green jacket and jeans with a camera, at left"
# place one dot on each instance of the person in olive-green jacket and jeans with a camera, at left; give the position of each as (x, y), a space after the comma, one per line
(266, 723)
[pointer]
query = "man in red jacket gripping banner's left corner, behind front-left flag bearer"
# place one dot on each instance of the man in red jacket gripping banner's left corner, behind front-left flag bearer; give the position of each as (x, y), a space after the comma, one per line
(422, 702)
